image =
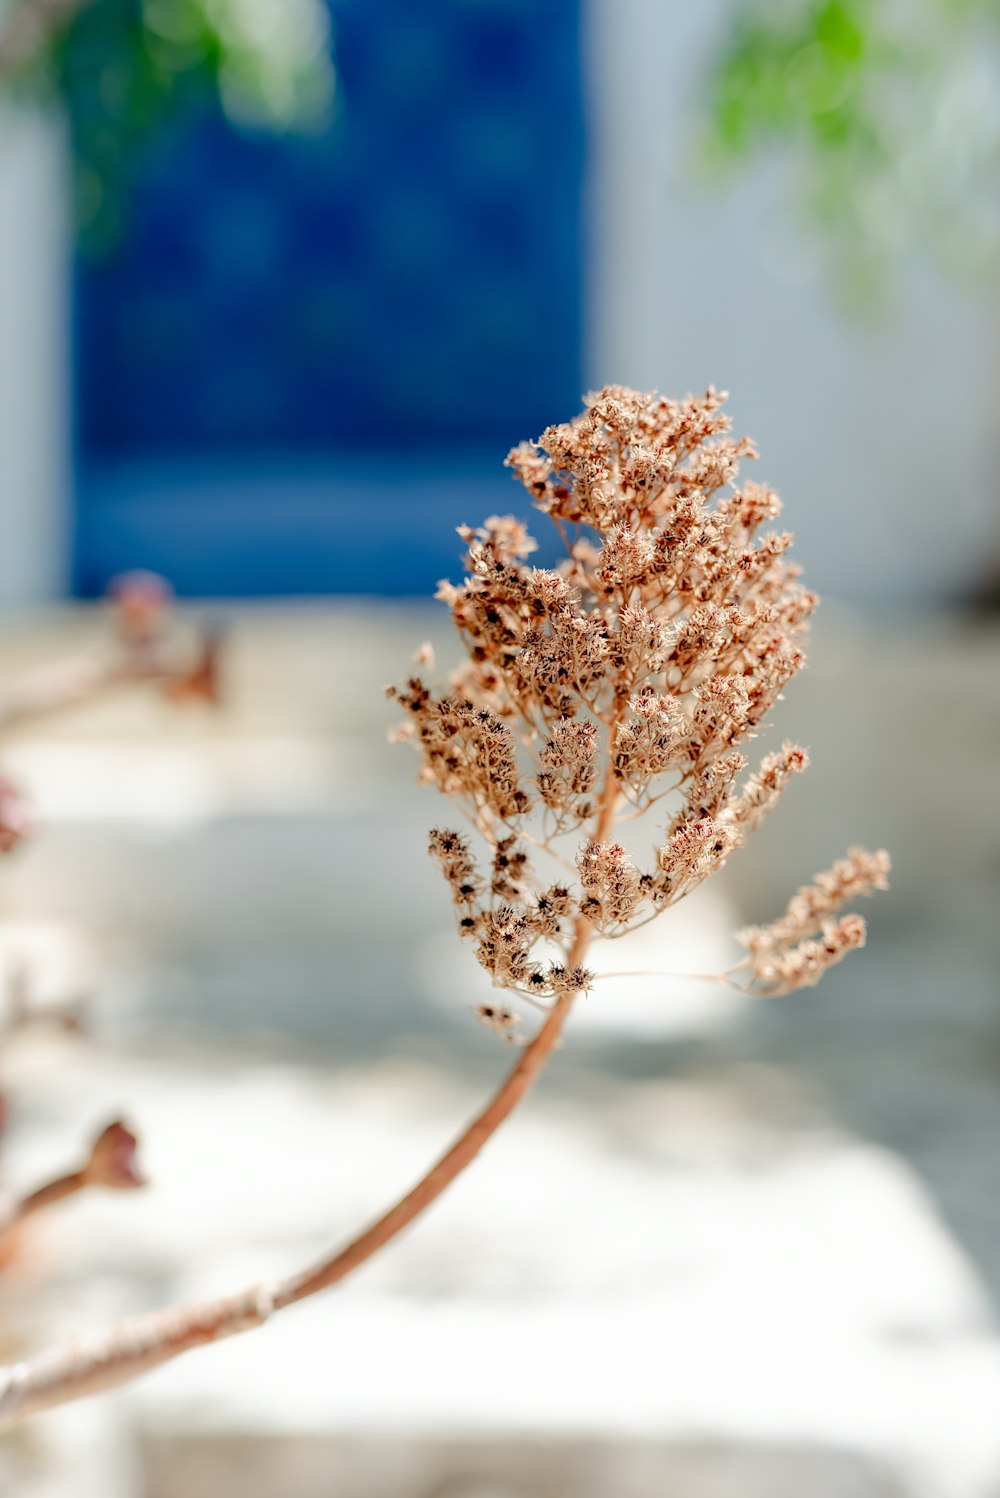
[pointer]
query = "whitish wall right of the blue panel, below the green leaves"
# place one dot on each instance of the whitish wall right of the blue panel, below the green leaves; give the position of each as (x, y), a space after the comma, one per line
(881, 438)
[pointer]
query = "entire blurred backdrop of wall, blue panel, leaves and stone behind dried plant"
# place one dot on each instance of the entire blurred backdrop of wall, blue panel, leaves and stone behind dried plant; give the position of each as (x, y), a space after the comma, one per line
(281, 284)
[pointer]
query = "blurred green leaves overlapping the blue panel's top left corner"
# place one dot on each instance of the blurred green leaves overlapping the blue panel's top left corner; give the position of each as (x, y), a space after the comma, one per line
(124, 67)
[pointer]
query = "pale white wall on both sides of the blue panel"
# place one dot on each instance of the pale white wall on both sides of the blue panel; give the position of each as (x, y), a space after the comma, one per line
(879, 438)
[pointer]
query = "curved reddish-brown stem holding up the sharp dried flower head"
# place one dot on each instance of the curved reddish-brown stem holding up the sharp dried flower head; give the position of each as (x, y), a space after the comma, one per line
(144, 1343)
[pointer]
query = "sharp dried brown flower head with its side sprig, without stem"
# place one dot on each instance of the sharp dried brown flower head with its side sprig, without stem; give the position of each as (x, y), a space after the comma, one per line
(626, 678)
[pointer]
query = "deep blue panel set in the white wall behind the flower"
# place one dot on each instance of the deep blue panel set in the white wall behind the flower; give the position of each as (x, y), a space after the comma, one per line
(397, 296)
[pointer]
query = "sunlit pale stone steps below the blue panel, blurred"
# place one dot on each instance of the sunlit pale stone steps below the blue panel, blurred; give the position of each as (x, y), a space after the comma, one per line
(772, 1231)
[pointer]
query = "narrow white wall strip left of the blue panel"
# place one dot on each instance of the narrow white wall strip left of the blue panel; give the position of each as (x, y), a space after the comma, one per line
(35, 357)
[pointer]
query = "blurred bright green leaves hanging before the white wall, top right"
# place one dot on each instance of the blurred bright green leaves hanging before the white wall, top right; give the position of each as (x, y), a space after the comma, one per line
(885, 113)
